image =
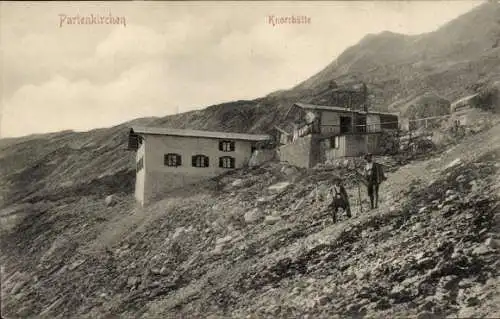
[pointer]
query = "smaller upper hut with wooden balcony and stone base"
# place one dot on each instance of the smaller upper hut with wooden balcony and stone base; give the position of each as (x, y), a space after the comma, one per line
(325, 133)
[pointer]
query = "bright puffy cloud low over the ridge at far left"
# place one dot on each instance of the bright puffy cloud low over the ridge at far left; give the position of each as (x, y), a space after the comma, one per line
(81, 105)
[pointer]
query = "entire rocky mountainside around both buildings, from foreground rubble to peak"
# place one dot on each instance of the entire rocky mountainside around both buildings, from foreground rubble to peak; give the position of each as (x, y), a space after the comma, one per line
(251, 249)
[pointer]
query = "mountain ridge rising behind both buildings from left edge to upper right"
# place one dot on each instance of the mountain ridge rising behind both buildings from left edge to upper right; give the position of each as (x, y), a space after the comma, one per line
(390, 85)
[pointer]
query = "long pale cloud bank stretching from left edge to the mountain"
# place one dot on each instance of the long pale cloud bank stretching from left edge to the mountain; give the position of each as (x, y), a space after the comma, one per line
(138, 72)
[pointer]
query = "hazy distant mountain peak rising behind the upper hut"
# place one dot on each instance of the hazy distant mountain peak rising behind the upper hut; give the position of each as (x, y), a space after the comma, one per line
(447, 62)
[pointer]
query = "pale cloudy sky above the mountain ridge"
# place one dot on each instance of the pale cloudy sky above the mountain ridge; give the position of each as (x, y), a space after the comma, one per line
(59, 72)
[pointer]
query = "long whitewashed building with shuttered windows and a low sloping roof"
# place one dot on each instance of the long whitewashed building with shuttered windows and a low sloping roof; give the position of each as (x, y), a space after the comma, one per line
(171, 158)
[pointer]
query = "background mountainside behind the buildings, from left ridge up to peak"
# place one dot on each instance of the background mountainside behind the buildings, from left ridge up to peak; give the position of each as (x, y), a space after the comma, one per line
(451, 62)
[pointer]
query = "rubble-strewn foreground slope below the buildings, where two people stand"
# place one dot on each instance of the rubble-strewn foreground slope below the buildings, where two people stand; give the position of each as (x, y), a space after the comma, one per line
(258, 244)
